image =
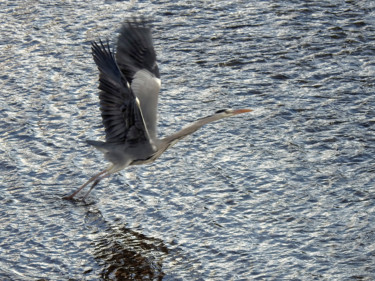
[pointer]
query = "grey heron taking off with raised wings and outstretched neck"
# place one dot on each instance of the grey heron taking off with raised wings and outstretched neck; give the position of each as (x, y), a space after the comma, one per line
(129, 84)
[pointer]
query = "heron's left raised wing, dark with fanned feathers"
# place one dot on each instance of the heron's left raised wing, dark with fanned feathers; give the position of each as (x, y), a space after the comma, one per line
(122, 117)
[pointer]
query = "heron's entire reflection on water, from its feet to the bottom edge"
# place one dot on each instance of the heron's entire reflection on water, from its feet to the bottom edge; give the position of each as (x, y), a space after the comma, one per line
(120, 253)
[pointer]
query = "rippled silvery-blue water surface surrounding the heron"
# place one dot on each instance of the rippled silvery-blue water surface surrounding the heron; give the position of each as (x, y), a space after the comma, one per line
(283, 193)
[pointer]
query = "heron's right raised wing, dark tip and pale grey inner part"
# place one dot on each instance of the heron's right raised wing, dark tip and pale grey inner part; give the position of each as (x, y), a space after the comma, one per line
(136, 59)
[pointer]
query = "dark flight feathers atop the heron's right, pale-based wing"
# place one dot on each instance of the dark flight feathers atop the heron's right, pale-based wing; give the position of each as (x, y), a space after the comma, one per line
(135, 50)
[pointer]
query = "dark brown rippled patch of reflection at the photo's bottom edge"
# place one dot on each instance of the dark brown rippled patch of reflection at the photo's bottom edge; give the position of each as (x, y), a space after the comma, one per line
(129, 255)
